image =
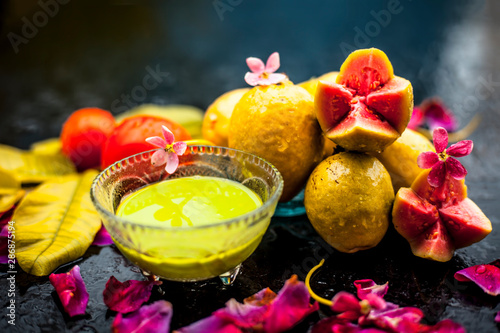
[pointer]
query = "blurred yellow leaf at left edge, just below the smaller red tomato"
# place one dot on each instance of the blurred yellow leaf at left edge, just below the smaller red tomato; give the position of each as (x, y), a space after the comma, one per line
(28, 167)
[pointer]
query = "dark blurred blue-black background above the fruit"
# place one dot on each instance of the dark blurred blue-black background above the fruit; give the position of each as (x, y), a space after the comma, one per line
(60, 55)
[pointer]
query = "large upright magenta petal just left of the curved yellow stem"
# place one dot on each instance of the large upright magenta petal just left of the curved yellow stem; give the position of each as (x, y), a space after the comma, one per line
(290, 306)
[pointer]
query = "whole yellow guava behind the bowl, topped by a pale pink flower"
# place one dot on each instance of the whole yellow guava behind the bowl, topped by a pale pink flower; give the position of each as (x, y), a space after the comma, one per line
(277, 123)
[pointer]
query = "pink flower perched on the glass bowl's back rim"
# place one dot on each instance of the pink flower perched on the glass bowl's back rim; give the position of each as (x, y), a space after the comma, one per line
(167, 154)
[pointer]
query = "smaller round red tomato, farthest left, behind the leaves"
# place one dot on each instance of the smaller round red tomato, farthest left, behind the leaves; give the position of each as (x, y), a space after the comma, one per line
(83, 135)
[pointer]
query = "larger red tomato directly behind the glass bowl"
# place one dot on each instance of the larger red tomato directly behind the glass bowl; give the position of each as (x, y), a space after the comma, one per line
(129, 137)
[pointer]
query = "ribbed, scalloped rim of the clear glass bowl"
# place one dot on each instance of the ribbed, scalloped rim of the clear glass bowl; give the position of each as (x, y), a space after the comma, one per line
(250, 217)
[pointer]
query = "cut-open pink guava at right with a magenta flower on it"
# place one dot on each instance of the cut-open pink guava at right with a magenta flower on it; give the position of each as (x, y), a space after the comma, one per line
(438, 220)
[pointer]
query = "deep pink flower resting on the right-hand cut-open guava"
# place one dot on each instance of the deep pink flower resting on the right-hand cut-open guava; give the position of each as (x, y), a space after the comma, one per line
(441, 161)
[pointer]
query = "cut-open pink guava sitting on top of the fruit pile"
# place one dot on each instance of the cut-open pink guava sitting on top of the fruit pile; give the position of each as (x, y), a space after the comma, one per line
(367, 107)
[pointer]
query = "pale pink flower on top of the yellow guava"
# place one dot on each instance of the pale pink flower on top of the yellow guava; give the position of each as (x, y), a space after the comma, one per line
(263, 75)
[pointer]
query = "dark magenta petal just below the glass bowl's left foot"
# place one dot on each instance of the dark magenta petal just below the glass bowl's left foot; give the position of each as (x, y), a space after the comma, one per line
(127, 296)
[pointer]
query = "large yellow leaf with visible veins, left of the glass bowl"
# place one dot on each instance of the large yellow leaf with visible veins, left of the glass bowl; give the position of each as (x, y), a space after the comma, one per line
(55, 223)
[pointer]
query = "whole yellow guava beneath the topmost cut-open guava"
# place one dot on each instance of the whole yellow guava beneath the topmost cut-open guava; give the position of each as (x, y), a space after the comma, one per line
(348, 200)
